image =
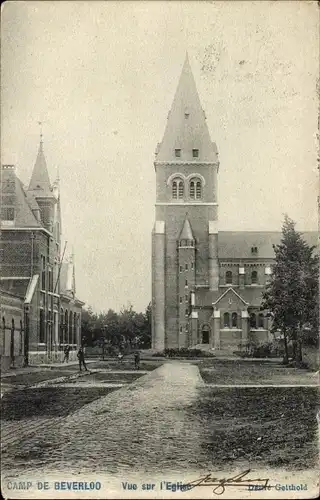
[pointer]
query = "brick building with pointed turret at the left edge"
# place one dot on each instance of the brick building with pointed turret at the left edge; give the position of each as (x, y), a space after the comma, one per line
(37, 293)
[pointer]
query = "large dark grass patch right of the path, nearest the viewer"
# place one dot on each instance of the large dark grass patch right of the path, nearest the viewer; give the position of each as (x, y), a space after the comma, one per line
(269, 426)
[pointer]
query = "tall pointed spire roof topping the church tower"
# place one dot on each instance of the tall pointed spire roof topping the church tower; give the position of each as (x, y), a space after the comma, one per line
(186, 127)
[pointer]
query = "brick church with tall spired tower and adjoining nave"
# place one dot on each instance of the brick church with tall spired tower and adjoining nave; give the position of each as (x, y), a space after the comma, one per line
(206, 284)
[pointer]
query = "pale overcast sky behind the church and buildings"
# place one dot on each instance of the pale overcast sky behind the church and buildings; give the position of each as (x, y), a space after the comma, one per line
(102, 76)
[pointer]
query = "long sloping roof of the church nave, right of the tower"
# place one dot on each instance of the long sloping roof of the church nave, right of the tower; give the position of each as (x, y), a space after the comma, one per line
(239, 244)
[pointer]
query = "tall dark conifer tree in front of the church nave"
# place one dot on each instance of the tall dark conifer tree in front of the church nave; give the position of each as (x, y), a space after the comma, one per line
(292, 293)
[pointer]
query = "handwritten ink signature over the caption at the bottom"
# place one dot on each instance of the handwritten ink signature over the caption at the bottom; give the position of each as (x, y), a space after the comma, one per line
(219, 484)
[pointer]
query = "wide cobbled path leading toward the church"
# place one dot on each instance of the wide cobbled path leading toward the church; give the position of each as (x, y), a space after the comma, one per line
(129, 428)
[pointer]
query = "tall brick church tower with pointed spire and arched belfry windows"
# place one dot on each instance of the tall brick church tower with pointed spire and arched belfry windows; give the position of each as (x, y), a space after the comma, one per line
(184, 239)
